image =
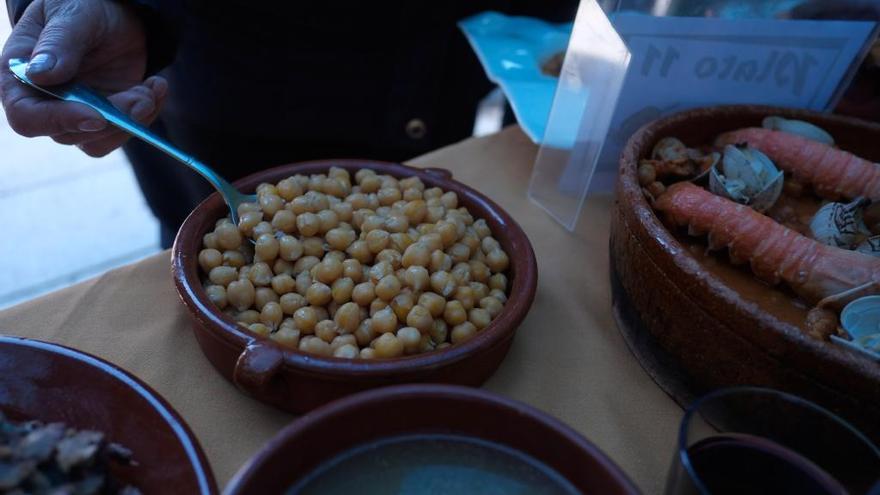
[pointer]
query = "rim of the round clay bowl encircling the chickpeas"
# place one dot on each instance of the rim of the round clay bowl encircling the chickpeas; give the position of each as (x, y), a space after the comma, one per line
(521, 293)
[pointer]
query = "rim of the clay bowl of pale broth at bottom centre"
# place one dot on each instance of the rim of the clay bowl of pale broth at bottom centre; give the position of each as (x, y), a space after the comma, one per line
(455, 394)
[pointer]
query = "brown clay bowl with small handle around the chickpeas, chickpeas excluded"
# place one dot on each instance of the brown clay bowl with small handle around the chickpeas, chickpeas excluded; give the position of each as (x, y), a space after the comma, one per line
(296, 381)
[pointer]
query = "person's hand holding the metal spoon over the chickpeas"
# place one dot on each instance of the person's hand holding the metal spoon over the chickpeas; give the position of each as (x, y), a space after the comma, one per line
(97, 42)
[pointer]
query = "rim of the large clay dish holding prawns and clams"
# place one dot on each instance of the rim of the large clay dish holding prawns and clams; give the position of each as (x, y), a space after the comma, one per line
(682, 258)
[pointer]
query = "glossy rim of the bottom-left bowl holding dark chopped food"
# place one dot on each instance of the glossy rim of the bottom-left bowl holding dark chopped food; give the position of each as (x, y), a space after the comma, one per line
(182, 432)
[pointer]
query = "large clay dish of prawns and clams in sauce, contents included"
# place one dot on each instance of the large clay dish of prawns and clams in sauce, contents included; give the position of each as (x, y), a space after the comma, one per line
(745, 249)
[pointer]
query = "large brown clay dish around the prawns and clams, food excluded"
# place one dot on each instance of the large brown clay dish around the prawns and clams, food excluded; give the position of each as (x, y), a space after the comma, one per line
(692, 330)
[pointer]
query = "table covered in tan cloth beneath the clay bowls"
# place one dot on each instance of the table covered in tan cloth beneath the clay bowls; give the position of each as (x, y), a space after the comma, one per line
(568, 358)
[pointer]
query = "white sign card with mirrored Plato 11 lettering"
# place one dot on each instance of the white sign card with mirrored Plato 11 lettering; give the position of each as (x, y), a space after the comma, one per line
(684, 62)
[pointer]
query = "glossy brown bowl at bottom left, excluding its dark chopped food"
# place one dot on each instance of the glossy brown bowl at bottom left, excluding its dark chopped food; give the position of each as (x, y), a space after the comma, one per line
(49, 382)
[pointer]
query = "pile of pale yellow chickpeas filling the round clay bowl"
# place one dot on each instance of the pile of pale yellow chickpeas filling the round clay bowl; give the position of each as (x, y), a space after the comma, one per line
(377, 267)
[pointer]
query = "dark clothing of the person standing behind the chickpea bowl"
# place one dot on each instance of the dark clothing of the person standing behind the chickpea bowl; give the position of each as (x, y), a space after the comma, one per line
(257, 84)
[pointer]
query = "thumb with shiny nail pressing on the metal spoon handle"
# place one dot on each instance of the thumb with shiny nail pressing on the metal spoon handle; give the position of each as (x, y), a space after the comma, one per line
(58, 53)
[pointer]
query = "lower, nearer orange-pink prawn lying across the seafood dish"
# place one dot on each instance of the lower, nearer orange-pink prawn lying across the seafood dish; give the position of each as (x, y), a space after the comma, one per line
(820, 274)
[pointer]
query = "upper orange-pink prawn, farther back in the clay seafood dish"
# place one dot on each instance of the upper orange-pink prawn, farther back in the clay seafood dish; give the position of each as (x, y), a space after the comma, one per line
(832, 172)
